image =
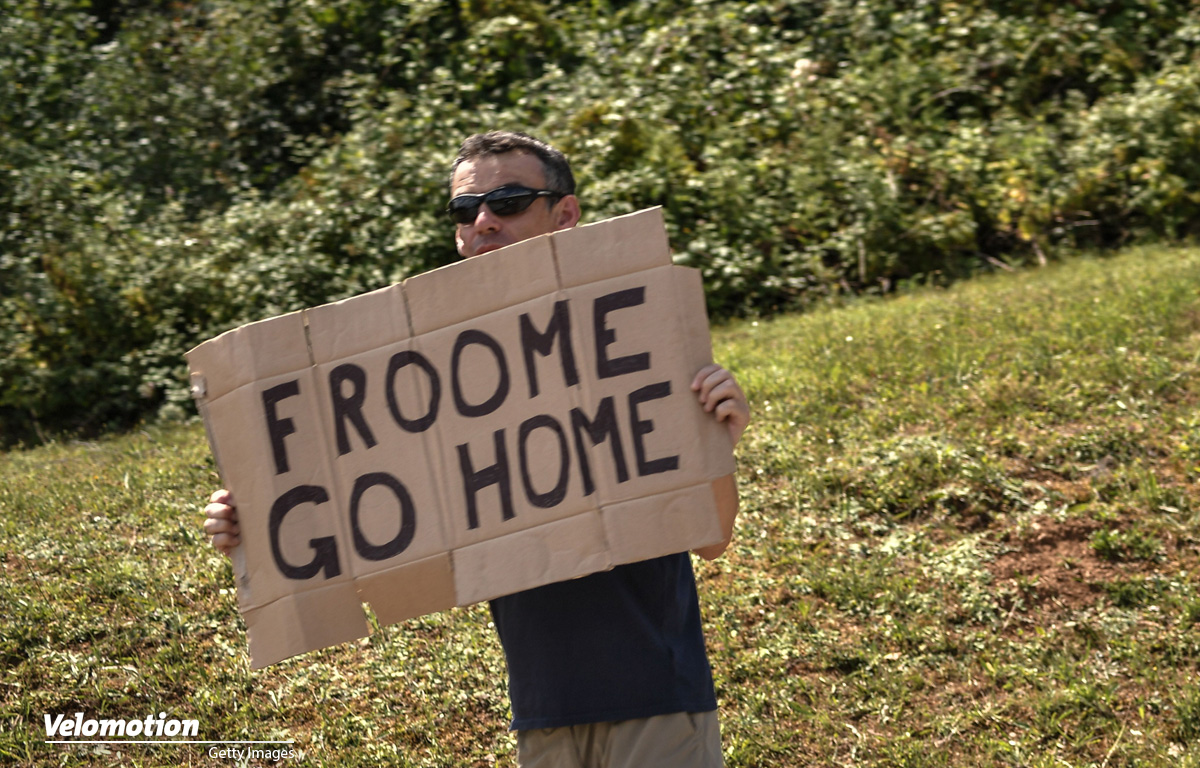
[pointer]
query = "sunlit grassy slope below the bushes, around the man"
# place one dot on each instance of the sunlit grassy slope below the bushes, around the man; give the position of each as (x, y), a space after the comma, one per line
(969, 538)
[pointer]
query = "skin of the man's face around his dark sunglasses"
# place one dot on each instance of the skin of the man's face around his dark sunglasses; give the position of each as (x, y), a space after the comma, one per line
(490, 232)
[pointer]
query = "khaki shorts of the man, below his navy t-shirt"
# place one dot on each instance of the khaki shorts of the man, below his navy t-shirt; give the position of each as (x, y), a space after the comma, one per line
(676, 741)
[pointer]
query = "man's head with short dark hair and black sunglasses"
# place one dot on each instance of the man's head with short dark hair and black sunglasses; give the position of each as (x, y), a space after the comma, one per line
(537, 197)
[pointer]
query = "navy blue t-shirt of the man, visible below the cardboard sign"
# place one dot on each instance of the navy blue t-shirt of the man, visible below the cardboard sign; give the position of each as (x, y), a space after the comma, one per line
(613, 646)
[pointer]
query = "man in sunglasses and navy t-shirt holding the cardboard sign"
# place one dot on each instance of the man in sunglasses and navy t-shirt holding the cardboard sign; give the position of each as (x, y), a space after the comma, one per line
(609, 670)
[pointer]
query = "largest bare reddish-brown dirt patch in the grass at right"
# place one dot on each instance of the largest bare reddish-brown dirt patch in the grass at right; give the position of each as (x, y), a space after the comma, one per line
(1054, 566)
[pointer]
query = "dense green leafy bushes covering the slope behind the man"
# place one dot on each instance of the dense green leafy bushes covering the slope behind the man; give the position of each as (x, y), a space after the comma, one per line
(171, 171)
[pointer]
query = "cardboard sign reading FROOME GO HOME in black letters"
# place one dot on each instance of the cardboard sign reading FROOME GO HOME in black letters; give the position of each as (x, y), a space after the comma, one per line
(505, 423)
